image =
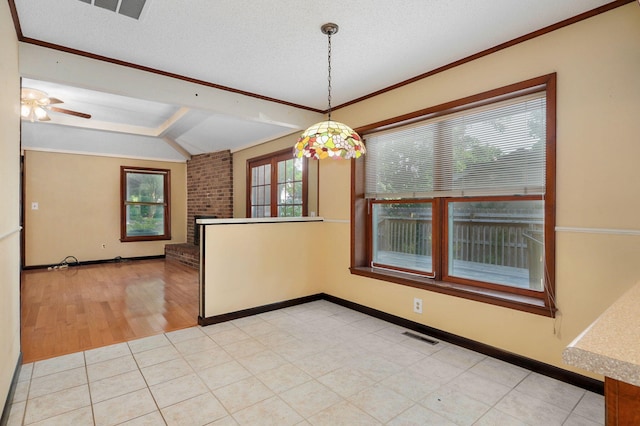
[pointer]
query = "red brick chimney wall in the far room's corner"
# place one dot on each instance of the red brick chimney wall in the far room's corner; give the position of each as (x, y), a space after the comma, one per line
(209, 187)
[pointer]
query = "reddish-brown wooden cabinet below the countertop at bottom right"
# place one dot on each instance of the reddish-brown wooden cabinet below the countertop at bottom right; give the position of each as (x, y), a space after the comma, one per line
(622, 403)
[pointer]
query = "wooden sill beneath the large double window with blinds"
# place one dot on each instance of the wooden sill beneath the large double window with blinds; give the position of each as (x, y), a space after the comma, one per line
(493, 297)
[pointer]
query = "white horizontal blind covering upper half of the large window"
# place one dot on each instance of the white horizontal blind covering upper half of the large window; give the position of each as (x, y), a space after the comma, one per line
(496, 149)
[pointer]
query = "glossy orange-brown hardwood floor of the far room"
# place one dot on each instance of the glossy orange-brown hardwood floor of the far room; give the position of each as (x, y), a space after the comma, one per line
(89, 306)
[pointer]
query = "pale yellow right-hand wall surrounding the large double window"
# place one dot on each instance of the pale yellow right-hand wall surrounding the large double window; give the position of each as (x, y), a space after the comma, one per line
(597, 62)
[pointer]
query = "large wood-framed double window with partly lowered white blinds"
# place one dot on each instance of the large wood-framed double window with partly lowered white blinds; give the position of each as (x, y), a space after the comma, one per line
(462, 194)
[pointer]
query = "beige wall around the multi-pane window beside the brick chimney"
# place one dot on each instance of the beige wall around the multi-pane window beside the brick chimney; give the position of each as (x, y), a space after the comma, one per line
(240, 172)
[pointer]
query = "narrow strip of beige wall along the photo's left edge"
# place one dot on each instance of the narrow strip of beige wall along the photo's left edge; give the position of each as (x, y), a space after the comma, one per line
(10, 199)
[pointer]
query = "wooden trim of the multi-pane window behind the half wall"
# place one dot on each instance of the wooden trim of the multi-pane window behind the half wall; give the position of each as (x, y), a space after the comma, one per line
(273, 159)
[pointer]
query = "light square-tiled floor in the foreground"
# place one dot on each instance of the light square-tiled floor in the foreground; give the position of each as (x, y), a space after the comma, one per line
(317, 363)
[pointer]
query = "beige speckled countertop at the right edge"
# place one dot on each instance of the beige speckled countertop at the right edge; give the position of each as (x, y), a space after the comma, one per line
(611, 344)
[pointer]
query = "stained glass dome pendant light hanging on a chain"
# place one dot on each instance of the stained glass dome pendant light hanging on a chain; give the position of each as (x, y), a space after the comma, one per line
(329, 139)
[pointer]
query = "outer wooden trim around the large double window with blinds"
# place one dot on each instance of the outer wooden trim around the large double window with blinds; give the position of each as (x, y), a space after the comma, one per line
(361, 238)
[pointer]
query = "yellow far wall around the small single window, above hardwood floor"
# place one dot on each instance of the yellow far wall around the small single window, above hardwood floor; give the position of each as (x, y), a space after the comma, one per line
(79, 210)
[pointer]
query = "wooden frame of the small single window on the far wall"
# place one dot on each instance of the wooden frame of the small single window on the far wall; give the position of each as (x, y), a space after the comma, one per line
(123, 204)
